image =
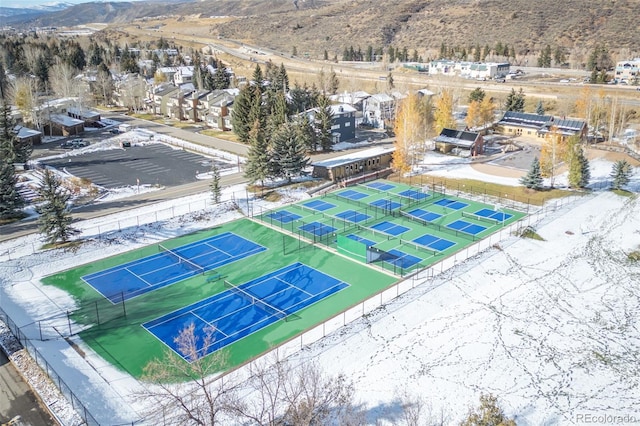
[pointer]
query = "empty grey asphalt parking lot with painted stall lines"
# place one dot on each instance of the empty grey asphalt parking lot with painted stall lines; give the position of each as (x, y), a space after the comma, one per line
(154, 164)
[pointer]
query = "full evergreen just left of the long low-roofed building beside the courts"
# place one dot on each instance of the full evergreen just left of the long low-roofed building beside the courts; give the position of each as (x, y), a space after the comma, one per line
(289, 157)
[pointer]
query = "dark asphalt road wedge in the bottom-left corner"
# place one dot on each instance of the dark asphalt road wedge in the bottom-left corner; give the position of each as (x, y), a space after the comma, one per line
(17, 398)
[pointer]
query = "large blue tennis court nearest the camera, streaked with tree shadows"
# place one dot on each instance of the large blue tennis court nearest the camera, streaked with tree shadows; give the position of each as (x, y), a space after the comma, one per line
(239, 312)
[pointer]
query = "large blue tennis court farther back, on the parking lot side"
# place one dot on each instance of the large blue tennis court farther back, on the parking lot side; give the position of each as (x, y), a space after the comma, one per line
(159, 270)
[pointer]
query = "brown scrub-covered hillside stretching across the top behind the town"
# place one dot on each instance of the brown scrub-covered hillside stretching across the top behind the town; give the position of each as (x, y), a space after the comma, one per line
(314, 26)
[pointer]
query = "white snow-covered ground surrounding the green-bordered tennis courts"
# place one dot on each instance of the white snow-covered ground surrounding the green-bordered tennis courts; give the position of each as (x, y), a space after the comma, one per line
(550, 327)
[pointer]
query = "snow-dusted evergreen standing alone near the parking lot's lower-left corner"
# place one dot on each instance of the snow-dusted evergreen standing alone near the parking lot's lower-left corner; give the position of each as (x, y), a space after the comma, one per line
(55, 218)
